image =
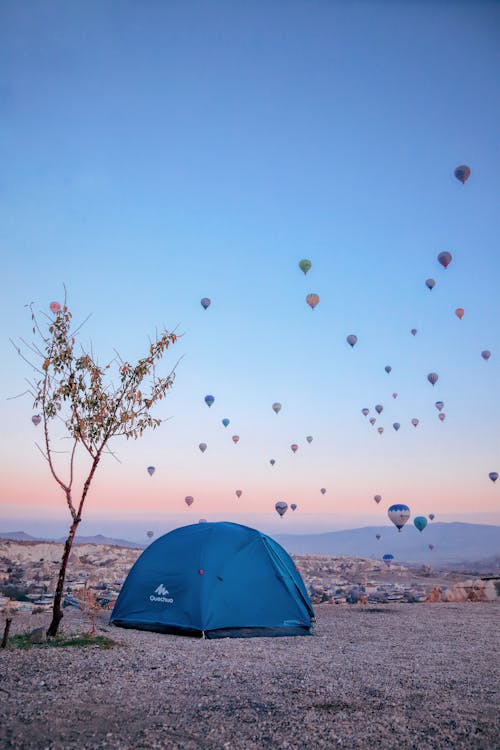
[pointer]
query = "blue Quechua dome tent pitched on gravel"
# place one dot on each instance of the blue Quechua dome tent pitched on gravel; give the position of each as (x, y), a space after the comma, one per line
(218, 580)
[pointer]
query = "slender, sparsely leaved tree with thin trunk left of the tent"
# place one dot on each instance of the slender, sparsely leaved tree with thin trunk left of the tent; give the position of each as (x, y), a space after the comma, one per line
(74, 388)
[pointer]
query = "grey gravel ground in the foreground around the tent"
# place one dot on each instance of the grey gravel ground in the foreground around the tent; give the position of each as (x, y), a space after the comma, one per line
(399, 676)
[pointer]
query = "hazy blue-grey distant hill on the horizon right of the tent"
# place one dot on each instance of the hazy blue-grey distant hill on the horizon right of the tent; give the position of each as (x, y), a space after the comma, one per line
(453, 542)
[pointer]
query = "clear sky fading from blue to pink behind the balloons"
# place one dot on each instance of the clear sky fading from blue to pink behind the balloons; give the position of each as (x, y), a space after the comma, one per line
(154, 153)
